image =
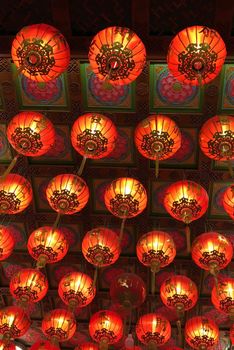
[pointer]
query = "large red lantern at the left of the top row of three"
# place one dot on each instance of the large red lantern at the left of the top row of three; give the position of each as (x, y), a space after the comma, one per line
(40, 52)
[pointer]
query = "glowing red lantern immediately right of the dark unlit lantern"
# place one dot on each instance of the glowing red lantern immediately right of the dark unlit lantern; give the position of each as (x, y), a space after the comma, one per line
(179, 293)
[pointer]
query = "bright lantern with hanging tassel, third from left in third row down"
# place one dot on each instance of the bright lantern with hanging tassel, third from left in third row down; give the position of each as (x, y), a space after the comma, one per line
(125, 198)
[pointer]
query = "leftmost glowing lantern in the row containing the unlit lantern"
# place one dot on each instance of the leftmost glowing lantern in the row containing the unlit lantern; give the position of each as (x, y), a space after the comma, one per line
(28, 285)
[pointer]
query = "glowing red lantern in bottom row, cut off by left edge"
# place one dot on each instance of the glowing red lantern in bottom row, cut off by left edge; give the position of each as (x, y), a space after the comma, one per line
(14, 322)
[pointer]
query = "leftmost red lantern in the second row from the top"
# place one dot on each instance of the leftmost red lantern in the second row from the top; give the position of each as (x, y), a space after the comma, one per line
(31, 134)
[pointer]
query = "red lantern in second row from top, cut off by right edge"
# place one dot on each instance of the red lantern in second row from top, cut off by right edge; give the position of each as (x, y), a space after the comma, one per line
(216, 138)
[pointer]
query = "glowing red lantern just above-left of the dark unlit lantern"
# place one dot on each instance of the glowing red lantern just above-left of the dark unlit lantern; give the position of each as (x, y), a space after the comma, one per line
(101, 247)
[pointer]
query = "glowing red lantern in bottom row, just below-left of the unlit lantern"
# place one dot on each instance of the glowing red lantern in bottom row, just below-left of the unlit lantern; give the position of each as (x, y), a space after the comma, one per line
(105, 327)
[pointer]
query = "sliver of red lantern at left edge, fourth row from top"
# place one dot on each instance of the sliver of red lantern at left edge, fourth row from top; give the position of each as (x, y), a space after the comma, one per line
(7, 242)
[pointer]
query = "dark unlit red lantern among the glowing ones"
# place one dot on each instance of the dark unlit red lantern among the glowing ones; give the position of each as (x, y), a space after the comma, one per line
(128, 290)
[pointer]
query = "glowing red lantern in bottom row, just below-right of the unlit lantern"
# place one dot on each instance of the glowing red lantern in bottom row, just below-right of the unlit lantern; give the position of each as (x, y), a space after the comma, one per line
(153, 330)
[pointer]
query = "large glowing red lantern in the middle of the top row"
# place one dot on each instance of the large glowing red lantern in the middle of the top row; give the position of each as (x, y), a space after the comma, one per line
(117, 55)
